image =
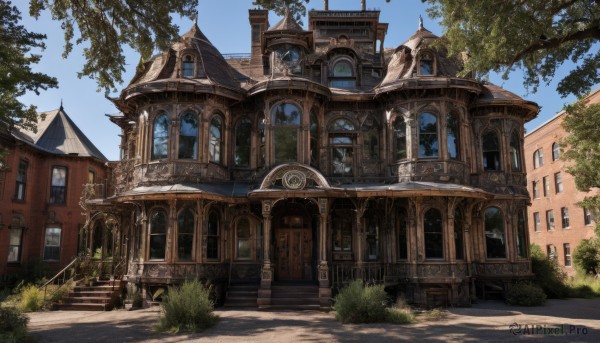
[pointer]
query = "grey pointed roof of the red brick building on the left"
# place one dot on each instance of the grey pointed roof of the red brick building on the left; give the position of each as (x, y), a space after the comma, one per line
(58, 134)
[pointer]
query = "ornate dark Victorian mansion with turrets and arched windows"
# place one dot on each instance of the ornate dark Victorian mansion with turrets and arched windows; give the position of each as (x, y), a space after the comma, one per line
(319, 158)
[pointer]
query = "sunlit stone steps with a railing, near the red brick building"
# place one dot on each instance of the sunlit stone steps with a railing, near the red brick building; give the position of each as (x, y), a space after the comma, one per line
(101, 296)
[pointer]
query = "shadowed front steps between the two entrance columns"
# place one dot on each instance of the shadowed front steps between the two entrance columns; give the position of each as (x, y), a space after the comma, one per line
(295, 296)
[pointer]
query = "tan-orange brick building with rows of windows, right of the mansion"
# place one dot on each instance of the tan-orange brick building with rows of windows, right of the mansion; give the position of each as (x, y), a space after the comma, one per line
(556, 222)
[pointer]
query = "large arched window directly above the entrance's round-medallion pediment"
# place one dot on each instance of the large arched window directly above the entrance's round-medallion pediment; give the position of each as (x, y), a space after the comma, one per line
(286, 118)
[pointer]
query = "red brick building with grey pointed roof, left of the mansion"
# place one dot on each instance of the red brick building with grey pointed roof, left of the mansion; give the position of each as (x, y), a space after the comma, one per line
(41, 182)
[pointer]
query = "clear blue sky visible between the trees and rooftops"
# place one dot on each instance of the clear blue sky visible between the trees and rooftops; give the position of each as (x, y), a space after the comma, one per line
(225, 23)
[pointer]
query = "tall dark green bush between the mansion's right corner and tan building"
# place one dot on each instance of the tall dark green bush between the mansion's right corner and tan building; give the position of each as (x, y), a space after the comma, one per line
(548, 274)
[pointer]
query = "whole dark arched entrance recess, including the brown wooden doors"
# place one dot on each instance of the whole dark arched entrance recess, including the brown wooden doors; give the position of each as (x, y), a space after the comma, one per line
(294, 240)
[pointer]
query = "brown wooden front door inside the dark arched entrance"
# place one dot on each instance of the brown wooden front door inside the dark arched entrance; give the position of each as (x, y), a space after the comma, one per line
(293, 250)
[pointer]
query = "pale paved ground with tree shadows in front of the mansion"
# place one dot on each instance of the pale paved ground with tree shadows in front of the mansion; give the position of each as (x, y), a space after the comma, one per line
(488, 321)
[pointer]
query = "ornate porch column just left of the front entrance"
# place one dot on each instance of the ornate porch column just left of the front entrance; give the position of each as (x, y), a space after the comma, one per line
(266, 275)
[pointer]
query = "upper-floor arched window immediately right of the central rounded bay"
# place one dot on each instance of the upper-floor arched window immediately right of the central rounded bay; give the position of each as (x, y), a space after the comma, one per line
(342, 146)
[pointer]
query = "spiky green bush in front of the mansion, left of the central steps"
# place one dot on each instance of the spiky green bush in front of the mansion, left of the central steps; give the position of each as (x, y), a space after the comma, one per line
(187, 308)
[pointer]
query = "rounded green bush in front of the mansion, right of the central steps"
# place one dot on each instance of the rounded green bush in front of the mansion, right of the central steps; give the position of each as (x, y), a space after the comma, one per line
(359, 304)
